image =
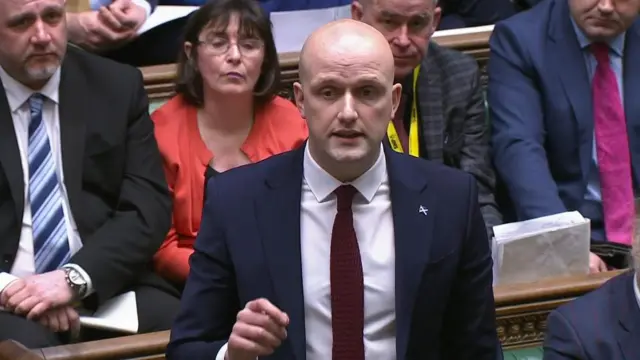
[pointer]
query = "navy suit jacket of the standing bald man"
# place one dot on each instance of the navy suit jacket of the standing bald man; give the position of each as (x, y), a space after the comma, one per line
(249, 247)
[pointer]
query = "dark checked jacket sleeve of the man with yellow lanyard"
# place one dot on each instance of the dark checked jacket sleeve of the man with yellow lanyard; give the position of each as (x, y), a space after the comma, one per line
(476, 155)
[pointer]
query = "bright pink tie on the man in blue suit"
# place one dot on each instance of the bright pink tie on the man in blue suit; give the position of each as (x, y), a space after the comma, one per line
(612, 148)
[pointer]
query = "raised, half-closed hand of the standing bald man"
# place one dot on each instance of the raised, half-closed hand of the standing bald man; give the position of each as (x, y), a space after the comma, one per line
(259, 329)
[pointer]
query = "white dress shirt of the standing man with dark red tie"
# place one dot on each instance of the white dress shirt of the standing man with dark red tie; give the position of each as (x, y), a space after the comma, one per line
(373, 223)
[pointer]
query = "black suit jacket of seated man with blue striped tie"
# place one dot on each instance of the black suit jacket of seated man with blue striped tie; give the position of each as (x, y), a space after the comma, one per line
(112, 169)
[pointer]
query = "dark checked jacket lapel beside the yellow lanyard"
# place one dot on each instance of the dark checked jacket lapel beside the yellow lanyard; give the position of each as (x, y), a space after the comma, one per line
(429, 95)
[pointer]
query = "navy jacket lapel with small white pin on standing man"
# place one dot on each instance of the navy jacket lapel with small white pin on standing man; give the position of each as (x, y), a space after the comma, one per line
(413, 236)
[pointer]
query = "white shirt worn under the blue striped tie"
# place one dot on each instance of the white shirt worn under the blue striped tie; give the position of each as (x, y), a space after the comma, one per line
(18, 96)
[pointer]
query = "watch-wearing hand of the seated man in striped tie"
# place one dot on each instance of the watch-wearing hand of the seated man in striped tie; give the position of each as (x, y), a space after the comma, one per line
(36, 294)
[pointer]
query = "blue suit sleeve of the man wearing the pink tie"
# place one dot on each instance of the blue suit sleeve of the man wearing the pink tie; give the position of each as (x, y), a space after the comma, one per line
(518, 134)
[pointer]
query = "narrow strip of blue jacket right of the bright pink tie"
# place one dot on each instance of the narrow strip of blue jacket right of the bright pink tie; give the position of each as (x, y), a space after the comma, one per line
(631, 72)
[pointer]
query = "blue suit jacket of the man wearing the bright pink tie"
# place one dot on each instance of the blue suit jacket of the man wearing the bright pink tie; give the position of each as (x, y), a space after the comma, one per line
(542, 110)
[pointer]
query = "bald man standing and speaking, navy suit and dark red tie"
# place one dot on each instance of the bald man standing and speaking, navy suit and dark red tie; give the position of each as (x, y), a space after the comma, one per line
(343, 247)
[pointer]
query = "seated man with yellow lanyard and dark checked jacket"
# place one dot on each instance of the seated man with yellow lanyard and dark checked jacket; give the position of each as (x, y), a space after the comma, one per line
(450, 126)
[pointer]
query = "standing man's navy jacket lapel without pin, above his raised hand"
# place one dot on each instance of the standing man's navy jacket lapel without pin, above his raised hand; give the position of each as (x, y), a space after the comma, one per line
(278, 215)
